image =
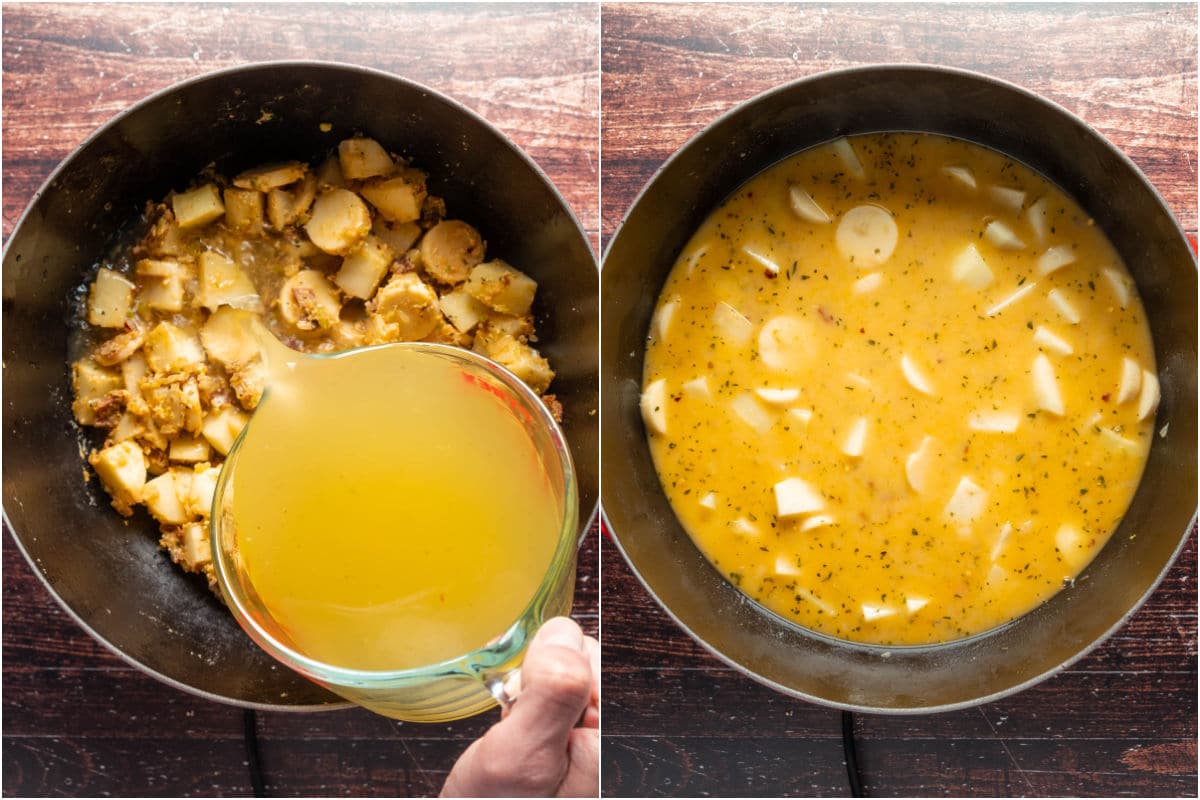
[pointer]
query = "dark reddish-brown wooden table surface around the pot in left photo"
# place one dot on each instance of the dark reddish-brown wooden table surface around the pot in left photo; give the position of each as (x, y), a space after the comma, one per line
(77, 720)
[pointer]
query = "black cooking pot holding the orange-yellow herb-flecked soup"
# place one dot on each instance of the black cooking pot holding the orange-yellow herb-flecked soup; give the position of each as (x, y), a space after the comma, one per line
(760, 134)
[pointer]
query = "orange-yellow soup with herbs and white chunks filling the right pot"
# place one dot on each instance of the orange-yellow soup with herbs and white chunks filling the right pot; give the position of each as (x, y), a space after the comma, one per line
(899, 389)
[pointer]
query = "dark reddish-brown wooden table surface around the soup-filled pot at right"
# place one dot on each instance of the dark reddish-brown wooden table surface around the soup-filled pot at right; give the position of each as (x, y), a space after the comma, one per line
(1121, 721)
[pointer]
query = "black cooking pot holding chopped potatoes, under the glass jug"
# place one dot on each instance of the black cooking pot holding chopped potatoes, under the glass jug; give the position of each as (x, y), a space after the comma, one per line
(112, 578)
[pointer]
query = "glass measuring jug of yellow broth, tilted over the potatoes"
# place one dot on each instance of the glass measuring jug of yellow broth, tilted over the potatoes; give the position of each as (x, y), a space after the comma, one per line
(395, 524)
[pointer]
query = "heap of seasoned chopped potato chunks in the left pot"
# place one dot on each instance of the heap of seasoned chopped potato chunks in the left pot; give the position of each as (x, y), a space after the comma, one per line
(329, 258)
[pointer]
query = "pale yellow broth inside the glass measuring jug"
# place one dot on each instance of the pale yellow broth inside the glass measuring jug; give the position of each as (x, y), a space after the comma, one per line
(391, 513)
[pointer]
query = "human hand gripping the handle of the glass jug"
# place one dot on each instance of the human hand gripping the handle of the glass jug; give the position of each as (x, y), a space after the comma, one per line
(549, 744)
